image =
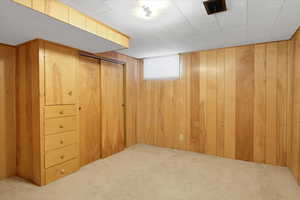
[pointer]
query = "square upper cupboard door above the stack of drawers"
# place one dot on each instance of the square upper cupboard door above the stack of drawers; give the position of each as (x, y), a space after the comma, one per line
(60, 74)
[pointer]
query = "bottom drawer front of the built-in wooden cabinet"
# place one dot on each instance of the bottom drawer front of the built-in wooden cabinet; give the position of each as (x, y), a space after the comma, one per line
(58, 156)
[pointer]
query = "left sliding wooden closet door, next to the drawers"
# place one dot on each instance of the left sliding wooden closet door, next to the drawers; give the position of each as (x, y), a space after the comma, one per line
(89, 106)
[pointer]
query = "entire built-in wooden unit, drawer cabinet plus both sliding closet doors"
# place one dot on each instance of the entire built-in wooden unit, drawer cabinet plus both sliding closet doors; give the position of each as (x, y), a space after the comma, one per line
(70, 110)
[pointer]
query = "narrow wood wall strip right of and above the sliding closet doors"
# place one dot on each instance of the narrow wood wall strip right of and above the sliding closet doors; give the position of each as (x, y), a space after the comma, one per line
(131, 99)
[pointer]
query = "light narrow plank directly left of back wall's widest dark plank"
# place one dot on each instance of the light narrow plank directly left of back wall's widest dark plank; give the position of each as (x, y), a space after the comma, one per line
(230, 91)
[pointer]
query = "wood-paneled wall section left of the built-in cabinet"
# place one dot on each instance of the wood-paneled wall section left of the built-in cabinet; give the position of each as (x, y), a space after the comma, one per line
(7, 112)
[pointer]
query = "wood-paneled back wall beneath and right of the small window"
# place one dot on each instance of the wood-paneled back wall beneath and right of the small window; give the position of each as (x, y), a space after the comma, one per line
(231, 102)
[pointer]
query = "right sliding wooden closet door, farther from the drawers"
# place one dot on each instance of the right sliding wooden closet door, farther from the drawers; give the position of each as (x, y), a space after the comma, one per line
(112, 96)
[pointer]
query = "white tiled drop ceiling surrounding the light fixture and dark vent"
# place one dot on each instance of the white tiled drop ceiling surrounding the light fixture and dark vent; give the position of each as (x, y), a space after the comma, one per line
(184, 26)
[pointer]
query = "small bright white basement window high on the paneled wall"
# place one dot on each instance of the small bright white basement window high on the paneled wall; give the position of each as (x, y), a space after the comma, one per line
(161, 68)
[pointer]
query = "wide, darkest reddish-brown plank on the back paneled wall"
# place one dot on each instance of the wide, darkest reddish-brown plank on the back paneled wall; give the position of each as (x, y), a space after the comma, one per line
(244, 102)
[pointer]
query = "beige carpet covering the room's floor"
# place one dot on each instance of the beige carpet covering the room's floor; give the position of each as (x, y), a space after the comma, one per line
(150, 173)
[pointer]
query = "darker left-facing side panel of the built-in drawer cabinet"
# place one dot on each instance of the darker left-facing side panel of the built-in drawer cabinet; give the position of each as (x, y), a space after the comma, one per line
(29, 145)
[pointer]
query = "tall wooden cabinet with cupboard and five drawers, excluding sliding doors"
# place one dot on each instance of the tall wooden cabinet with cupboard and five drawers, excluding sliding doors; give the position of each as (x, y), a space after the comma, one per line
(47, 114)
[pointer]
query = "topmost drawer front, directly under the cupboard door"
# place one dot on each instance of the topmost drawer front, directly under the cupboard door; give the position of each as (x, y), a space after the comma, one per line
(59, 111)
